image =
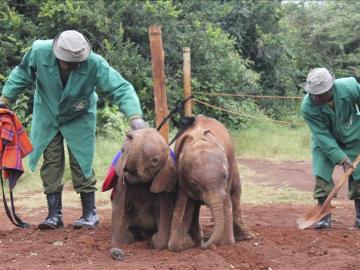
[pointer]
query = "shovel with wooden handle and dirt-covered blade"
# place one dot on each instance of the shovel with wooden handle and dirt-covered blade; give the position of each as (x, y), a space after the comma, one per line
(316, 213)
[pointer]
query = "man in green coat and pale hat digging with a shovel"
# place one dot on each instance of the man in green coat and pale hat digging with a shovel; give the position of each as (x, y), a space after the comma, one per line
(331, 110)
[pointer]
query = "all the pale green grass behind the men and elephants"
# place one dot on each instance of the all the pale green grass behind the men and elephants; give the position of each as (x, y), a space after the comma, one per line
(268, 141)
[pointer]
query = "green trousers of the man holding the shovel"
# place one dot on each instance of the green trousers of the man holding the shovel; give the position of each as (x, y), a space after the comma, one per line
(323, 188)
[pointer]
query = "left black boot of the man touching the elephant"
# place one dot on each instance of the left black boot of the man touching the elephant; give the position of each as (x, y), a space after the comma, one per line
(54, 218)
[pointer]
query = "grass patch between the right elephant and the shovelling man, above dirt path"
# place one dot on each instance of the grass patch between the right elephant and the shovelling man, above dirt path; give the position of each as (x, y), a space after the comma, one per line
(273, 141)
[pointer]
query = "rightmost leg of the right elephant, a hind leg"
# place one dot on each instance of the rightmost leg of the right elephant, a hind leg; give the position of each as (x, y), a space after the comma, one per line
(241, 232)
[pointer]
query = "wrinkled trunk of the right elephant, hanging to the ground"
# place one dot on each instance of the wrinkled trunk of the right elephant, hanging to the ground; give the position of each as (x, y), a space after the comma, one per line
(215, 203)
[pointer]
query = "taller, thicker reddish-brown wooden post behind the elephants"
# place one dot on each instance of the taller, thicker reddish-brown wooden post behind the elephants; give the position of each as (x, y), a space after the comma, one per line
(157, 63)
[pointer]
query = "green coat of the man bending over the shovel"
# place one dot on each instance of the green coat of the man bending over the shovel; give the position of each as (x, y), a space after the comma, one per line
(335, 134)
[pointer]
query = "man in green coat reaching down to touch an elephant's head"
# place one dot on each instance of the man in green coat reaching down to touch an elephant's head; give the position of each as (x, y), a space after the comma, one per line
(67, 73)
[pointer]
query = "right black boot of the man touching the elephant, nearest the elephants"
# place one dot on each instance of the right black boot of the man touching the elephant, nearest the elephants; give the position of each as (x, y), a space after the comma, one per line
(89, 218)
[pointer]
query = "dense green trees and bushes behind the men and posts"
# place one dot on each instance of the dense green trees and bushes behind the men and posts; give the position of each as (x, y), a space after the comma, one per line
(263, 47)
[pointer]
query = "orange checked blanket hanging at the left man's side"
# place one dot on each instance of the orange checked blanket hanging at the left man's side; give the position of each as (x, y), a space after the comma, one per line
(15, 145)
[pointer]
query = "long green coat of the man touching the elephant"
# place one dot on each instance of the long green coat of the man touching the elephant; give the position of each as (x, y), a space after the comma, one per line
(70, 110)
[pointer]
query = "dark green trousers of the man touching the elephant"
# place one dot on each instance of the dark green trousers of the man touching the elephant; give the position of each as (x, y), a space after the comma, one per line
(52, 169)
